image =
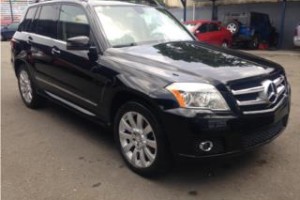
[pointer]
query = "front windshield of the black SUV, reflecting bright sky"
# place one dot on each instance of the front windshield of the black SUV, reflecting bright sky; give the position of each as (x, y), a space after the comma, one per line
(134, 25)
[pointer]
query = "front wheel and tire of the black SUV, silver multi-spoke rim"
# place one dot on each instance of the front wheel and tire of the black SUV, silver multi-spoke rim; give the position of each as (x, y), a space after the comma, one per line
(142, 145)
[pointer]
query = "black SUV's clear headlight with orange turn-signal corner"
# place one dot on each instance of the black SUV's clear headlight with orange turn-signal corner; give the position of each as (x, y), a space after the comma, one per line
(198, 96)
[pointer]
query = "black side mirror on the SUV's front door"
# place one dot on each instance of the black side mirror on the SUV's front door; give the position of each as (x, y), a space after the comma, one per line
(78, 43)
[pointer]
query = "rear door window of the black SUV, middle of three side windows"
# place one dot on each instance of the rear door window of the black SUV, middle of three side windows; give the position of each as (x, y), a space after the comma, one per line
(46, 24)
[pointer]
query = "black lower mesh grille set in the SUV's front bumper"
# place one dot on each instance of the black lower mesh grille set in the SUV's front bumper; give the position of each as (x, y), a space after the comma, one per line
(255, 138)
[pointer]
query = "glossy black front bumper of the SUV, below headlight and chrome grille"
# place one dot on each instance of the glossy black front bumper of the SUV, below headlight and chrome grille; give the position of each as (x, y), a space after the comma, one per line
(229, 133)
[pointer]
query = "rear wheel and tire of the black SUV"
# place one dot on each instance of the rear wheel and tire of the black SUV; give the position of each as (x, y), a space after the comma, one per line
(27, 89)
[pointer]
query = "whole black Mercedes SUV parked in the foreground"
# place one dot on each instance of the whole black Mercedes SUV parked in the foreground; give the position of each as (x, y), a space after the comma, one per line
(136, 69)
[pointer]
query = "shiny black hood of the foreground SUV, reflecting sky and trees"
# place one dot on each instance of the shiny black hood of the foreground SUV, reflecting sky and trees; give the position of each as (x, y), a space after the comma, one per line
(191, 61)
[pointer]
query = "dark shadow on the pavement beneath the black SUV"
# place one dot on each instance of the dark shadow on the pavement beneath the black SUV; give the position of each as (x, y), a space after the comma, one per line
(183, 171)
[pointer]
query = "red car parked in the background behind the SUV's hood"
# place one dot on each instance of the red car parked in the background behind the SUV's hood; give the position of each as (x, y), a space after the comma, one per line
(210, 32)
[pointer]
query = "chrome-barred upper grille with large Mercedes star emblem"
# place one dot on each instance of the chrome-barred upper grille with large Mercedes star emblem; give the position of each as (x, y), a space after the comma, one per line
(261, 96)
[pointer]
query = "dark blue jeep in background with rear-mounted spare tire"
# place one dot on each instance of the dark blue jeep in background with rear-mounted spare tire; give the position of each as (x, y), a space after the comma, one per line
(251, 29)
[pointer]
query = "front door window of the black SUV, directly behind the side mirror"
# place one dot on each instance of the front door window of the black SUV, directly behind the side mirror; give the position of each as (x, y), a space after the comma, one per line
(72, 22)
